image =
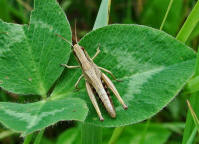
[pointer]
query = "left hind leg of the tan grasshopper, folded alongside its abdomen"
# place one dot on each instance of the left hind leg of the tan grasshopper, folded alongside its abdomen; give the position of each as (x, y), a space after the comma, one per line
(93, 100)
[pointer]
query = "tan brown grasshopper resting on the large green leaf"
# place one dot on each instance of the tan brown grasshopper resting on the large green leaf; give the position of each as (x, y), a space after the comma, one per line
(96, 81)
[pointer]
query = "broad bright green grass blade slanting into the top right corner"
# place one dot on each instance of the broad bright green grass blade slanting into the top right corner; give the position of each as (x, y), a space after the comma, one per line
(189, 24)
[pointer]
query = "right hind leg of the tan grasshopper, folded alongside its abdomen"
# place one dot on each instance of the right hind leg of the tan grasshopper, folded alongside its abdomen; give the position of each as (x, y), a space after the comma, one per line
(113, 89)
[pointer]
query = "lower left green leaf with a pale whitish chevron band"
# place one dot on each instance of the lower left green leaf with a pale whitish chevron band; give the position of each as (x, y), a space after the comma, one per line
(27, 118)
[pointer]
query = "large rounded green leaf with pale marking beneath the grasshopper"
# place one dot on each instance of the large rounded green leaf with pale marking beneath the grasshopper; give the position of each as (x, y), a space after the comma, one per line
(152, 65)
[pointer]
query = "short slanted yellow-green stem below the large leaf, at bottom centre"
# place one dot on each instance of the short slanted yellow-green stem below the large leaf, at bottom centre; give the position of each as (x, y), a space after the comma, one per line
(116, 134)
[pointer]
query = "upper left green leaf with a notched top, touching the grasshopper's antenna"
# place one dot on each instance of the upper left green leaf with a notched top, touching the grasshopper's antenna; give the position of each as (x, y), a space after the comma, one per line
(30, 55)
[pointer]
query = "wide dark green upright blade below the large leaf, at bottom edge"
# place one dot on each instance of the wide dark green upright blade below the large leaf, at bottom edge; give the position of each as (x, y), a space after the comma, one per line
(91, 134)
